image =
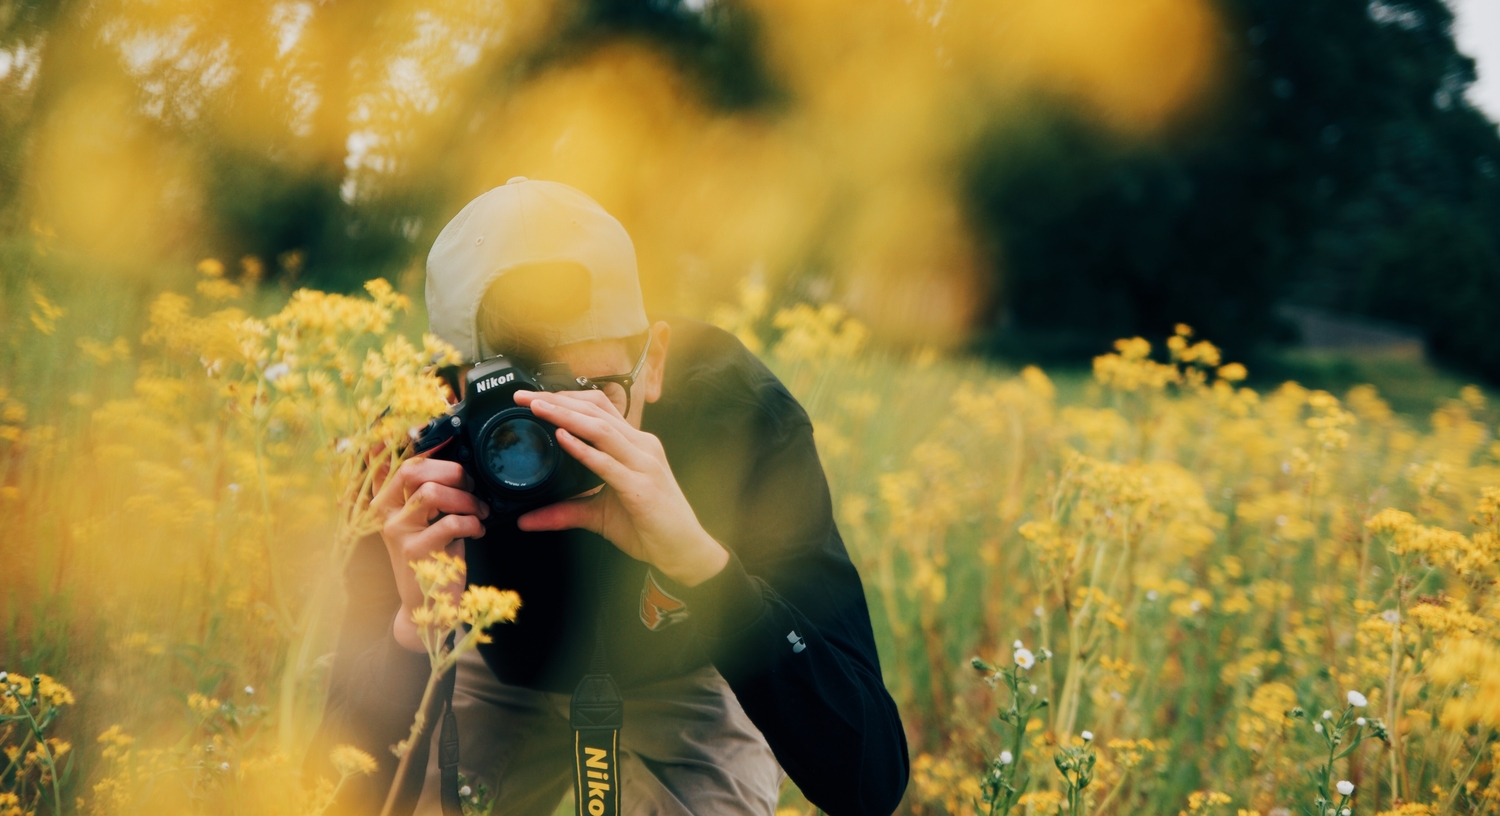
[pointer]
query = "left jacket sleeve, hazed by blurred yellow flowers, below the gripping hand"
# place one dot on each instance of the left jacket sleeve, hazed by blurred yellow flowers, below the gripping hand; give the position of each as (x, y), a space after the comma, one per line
(374, 688)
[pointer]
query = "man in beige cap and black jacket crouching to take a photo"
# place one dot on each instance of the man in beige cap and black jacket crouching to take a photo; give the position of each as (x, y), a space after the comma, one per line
(707, 569)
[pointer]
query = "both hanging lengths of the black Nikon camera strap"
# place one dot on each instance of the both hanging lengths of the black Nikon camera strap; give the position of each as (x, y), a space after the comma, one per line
(596, 712)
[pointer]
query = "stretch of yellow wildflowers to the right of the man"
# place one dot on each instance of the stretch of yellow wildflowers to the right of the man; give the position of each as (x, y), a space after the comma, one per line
(1168, 527)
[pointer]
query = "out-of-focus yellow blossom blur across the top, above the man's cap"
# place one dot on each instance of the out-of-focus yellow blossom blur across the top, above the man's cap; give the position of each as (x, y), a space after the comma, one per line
(848, 166)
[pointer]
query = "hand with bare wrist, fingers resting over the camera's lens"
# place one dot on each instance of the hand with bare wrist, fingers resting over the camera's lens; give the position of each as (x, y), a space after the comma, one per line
(641, 509)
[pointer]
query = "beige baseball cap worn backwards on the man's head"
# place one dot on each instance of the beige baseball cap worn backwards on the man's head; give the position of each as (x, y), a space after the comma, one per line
(533, 224)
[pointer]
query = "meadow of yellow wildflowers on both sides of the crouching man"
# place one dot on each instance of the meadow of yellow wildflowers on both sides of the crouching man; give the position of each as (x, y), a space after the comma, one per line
(1145, 590)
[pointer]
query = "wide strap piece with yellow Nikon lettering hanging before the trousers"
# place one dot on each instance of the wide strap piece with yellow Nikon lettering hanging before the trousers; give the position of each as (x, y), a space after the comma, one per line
(598, 712)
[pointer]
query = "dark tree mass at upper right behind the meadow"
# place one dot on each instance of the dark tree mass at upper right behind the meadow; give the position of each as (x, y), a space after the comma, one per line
(1342, 170)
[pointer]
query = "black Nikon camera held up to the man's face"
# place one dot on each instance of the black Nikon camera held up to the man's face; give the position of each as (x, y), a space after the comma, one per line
(512, 455)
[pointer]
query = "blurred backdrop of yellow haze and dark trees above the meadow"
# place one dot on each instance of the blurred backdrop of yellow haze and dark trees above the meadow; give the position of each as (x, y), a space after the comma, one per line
(1027, 179)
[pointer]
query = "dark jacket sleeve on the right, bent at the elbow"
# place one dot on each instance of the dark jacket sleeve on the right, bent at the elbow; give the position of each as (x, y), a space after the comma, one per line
(788, 628)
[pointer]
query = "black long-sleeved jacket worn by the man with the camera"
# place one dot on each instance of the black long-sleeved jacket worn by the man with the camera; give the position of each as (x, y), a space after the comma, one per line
(785, 623)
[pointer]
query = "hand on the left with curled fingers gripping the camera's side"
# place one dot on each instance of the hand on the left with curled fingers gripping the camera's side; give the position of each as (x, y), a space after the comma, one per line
(428, 506)
